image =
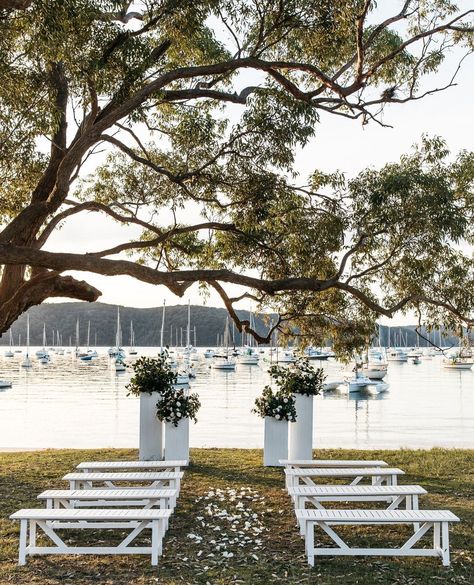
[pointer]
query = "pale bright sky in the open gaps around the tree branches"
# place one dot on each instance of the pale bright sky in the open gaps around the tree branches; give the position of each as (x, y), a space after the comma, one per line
(339, 144)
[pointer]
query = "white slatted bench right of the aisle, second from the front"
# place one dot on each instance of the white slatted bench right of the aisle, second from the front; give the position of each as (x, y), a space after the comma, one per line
(395, 495)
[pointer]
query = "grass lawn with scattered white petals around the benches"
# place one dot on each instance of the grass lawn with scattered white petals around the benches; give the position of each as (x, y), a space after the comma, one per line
(196, 550)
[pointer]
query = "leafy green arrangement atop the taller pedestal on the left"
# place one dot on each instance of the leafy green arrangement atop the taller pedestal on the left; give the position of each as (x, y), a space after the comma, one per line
(152, 375)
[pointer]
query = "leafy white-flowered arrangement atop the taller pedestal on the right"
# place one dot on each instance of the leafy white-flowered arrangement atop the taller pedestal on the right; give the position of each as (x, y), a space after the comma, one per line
(299, 378)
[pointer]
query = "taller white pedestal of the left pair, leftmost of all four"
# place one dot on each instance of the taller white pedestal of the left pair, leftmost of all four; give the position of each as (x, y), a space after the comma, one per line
(151, 429)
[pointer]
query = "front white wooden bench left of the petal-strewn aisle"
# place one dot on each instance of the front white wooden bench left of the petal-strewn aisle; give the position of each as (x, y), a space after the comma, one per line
(49, 520)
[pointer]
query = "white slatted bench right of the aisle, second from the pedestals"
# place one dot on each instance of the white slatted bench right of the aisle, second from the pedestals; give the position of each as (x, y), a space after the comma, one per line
(308, 475)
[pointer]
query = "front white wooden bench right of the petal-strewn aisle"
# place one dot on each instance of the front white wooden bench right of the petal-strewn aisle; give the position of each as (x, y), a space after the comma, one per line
(438, 520)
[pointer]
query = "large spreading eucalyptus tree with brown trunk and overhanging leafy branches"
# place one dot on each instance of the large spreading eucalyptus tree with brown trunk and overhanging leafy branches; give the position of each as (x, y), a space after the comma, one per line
(201, 105)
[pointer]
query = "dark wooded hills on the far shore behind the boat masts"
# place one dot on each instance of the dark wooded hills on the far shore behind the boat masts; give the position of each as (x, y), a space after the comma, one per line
(208, 321)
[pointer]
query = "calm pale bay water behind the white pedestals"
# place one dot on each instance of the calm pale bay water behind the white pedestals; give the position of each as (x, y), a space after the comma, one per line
(74, 404)
